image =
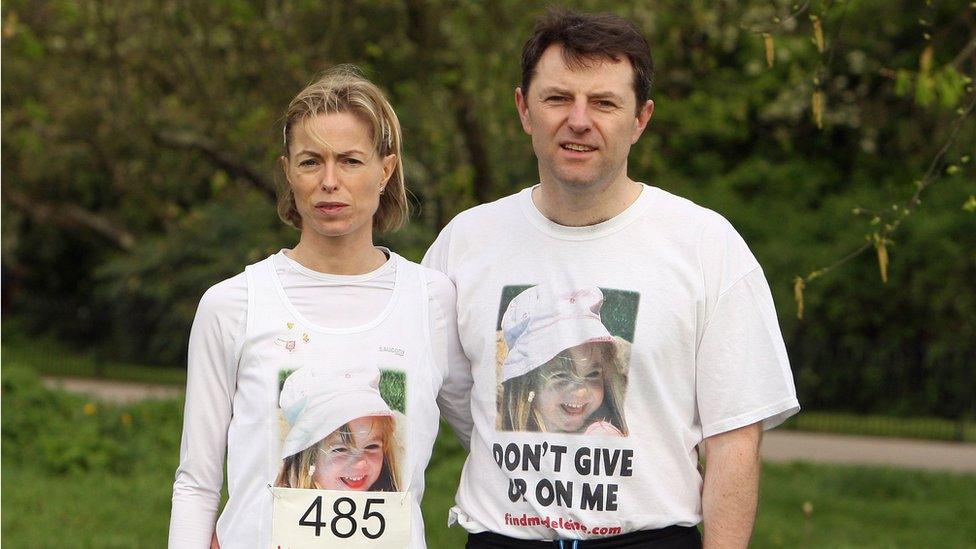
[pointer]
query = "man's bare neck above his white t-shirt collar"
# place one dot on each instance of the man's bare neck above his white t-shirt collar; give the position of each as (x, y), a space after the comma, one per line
(584, 207)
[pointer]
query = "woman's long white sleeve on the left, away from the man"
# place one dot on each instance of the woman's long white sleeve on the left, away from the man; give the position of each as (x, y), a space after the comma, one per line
(214, 350)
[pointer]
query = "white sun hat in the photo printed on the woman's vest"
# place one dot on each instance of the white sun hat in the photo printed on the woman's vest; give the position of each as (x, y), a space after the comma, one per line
(317, 400)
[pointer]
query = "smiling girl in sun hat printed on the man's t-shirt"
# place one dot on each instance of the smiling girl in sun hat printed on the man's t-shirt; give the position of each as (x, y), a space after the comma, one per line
(560, 369)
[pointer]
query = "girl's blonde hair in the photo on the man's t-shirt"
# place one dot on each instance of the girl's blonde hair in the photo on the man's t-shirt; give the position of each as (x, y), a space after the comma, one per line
(518, 412)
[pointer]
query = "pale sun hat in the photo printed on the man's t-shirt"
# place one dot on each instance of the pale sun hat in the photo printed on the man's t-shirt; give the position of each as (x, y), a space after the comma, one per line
(541, 322)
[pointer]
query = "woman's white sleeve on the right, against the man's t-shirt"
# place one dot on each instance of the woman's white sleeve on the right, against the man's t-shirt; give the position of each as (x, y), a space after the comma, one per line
(454, 398)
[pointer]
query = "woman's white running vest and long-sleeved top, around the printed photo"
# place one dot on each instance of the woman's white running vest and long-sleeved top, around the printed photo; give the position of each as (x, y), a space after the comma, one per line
(253, 330)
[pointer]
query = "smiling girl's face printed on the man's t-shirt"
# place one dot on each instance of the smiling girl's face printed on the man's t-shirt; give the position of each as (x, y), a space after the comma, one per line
(571, 388)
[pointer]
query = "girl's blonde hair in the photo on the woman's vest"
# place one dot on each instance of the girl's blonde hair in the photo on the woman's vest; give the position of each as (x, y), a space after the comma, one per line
(296, 470)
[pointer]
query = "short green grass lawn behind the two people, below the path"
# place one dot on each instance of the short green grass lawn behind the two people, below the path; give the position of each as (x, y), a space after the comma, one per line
(851, 506)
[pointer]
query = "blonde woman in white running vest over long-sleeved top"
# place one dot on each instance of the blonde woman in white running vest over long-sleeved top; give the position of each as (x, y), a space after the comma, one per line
(329, 310)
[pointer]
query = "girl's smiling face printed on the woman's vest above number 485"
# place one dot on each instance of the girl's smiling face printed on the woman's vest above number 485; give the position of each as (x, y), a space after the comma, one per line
(354, 463)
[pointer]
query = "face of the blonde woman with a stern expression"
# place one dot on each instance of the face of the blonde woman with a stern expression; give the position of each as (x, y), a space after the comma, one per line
(336, 184)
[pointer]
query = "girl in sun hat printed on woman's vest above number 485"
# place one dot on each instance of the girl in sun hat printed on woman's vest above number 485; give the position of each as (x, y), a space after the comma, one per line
(342, 435)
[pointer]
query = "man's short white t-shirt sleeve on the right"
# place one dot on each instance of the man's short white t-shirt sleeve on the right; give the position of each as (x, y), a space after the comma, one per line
(742, 371)
